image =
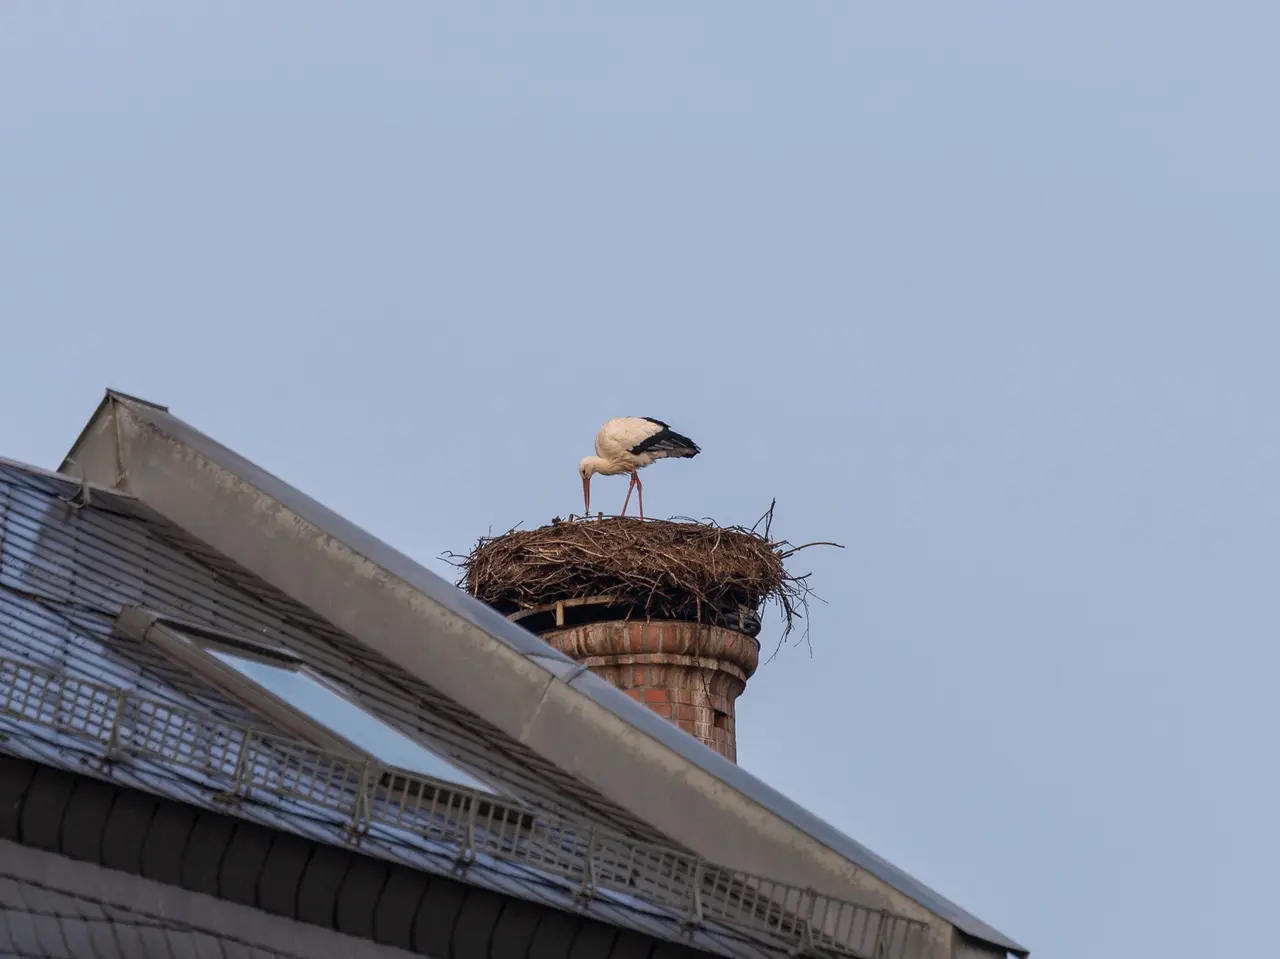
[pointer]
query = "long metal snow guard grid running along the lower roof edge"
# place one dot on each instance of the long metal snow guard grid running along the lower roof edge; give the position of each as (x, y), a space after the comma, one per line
(368, 794)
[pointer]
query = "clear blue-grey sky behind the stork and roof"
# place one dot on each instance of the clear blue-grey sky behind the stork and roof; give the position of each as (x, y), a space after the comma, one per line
(986, 291)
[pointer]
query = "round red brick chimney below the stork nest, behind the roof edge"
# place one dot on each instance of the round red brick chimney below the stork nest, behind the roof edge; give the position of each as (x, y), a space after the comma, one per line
(687, 673)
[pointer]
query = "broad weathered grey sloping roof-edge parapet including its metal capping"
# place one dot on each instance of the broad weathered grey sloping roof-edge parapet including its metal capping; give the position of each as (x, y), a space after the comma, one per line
(436, 633)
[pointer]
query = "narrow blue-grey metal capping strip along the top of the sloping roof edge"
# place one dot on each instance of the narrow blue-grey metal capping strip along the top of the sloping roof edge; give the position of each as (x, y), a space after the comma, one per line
(531, 646)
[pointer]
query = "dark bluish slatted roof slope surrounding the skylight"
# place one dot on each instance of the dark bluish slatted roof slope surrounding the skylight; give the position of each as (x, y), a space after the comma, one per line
(81, 695)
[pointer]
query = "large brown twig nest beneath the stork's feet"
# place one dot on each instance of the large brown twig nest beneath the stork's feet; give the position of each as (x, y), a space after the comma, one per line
(669, 569)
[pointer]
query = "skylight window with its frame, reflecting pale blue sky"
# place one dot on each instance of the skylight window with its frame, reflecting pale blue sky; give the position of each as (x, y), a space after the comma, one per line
(275, 683)
